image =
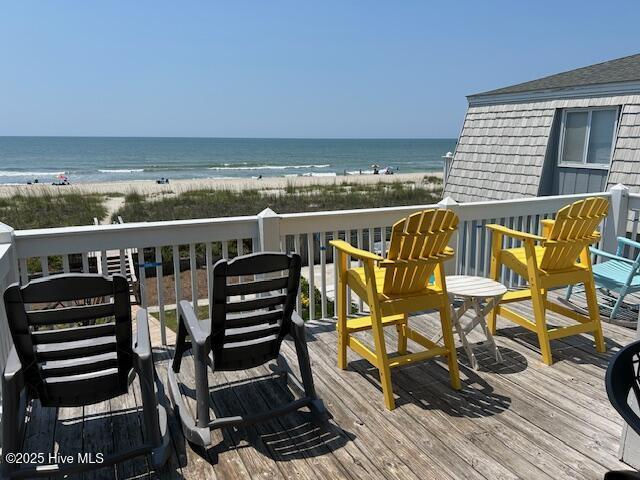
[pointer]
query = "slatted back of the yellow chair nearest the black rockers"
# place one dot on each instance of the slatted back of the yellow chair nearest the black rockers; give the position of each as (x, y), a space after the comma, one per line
(418, 244)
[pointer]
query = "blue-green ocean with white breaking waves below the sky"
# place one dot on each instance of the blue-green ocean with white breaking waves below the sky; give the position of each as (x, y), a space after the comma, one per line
(109, 159)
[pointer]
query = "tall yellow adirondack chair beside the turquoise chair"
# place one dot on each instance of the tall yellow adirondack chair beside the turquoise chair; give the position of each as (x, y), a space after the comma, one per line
(560, 257)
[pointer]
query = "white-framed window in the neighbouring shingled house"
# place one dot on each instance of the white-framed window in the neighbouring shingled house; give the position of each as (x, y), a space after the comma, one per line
(587, 136)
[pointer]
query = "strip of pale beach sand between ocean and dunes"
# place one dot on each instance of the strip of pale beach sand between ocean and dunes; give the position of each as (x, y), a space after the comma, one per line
(151, 188)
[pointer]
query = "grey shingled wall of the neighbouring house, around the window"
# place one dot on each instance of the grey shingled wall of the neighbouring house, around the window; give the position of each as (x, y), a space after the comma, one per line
(510, 151)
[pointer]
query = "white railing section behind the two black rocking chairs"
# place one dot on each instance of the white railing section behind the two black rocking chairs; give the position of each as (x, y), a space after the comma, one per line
(160, 246)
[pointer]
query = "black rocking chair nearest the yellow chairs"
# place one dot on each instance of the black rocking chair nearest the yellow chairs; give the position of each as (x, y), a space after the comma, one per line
(242, 334)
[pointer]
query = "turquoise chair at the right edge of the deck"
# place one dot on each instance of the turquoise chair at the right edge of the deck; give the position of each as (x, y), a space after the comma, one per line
(617, 274)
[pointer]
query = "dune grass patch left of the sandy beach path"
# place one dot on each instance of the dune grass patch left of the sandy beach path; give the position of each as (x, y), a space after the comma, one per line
(47, 209)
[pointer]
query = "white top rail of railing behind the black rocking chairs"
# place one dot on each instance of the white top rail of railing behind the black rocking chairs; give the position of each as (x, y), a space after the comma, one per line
(55, 241)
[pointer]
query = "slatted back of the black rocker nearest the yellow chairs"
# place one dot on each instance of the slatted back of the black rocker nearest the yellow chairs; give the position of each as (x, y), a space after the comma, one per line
(246, 333)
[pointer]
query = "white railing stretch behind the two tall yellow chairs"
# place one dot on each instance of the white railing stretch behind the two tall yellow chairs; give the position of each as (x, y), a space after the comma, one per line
(309, 234)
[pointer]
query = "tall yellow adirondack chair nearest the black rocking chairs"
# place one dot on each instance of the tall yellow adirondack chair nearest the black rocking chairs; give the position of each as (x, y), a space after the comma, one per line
(395, 286)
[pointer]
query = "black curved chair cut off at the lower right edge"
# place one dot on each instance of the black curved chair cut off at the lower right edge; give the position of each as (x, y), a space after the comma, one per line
(623, 377)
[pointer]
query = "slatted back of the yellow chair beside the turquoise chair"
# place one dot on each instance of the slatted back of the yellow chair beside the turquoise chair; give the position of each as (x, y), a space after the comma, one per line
(573, 229)
